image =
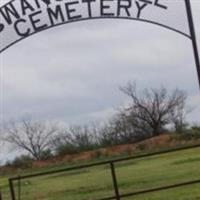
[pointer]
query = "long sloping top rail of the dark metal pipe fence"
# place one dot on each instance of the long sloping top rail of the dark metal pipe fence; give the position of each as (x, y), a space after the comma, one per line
(106, 162)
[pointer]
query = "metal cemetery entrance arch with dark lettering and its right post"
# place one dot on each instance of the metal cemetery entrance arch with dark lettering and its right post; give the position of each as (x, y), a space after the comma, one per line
(10, 29)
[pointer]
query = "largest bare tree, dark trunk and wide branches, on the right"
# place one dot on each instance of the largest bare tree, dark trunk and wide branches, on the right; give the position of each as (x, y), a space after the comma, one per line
(153, 109)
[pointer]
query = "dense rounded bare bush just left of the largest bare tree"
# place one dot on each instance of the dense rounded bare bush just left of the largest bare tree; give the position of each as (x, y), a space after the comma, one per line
(122, 129)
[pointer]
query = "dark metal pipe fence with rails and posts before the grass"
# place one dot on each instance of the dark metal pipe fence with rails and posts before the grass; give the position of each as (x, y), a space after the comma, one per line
(111, 163)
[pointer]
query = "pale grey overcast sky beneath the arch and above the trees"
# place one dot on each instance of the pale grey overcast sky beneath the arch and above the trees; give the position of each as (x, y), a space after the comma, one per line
(72, 73)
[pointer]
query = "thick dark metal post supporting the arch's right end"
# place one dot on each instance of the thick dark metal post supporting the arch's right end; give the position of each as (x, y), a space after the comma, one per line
(193, 37)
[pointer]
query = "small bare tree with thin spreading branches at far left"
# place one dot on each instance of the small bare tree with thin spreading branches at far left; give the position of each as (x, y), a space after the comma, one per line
(32, 136)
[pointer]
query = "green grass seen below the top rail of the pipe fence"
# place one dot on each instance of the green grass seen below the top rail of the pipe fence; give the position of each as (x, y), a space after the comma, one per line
(96, 182)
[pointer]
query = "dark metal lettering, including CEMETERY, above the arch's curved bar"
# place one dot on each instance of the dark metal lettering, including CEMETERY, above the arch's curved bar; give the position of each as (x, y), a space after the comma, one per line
(26, 15)
